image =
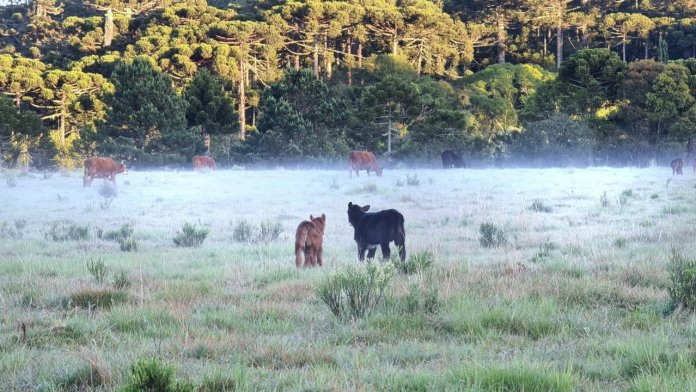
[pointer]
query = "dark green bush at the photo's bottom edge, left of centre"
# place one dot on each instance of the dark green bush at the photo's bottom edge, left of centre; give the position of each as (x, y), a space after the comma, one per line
(150, 375)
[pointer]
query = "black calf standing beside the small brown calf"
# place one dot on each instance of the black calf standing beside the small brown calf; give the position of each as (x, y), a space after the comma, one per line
(377, 228)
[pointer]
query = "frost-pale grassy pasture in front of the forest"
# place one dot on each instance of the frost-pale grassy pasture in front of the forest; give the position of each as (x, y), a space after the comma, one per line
(572, 294)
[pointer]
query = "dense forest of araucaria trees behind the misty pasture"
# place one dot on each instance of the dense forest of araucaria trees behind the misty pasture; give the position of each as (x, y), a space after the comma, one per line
(505, 82)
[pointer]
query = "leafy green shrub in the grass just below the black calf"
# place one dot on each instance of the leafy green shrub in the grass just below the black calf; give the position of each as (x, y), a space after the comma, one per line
(355, 291)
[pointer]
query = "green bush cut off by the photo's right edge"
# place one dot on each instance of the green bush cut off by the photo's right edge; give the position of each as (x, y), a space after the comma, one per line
(682, 285)
